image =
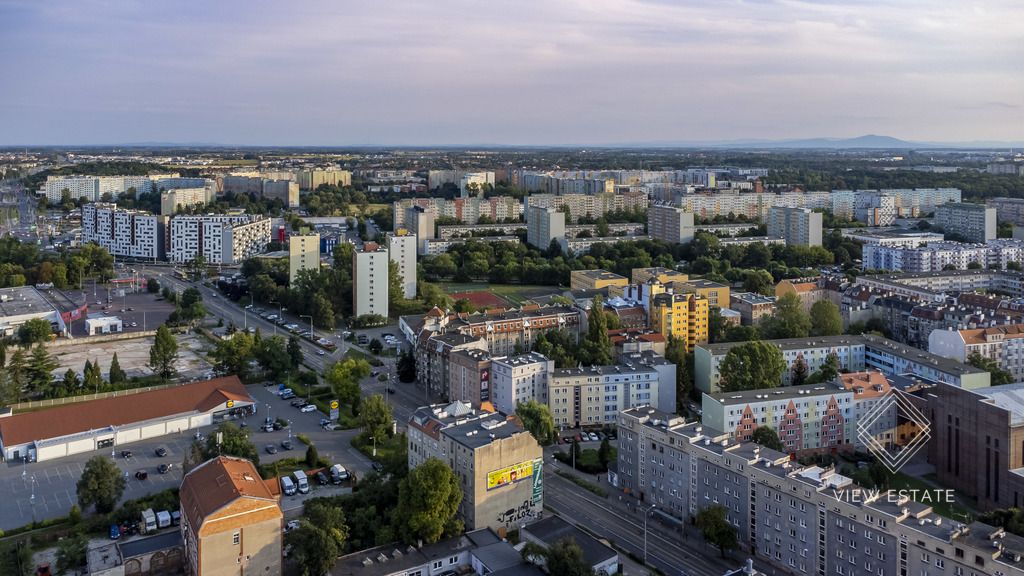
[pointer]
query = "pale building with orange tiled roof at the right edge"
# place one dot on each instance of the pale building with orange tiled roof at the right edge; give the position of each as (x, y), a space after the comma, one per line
(1003, 345)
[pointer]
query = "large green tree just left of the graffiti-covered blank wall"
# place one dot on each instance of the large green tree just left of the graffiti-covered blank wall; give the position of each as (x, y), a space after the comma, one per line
(429, 501)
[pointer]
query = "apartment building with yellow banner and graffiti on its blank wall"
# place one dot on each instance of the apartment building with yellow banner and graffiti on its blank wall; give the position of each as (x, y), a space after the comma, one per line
(498, 464)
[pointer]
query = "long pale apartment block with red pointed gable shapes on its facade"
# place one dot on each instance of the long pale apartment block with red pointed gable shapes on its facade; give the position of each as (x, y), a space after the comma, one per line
(809, 419)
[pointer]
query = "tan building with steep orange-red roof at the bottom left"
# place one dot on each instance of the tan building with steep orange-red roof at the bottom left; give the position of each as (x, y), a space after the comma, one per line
(231, 521)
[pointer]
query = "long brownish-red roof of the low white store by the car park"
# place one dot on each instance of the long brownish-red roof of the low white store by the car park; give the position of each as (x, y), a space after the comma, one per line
(97, 415)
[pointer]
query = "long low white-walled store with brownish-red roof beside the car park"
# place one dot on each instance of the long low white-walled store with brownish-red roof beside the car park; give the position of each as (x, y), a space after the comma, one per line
(98, 425)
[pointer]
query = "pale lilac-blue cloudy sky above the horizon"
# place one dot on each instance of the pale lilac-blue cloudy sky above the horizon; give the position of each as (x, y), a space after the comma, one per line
(523, 72)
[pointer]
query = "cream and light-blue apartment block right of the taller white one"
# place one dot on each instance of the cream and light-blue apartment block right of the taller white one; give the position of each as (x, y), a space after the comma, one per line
(593, 396)
